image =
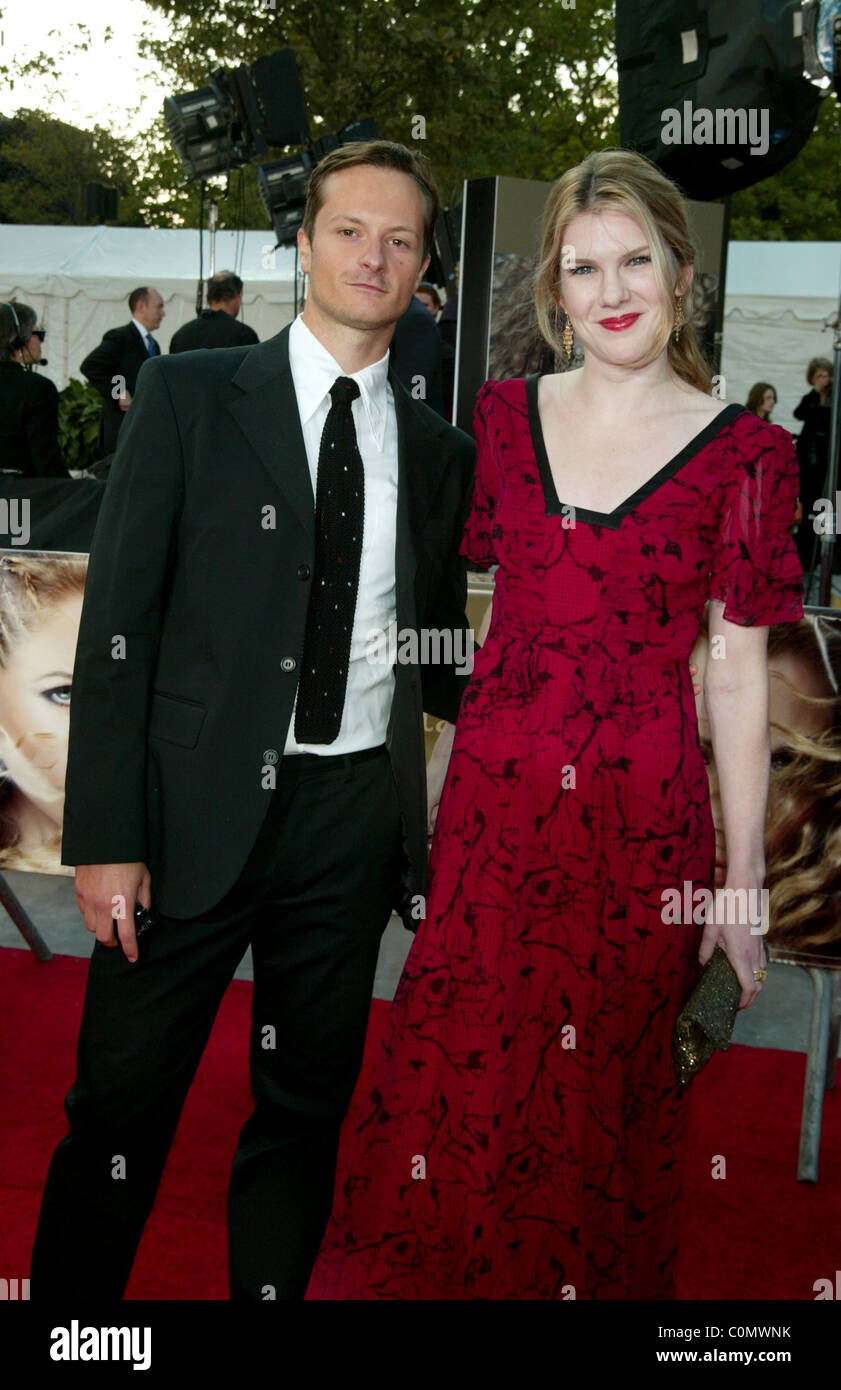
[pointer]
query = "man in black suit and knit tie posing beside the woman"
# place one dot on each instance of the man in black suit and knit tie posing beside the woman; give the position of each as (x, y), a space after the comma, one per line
(244, 757)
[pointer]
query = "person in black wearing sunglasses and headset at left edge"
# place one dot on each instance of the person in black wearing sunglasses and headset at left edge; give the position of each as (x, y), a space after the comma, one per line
(28, 402)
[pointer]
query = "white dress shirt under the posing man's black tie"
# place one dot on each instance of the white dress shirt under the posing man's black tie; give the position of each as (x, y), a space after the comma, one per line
(370, 686)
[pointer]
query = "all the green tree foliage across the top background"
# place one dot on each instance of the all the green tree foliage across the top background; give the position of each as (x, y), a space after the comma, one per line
(522, 88)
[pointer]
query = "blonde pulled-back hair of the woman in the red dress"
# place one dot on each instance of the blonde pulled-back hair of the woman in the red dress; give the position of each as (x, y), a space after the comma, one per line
(630, 184)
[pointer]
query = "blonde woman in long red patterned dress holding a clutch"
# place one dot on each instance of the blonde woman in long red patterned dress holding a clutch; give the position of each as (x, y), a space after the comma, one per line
(523, 1134)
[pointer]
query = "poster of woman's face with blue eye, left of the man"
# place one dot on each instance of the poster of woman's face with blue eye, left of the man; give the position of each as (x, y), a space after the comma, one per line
(41, 604)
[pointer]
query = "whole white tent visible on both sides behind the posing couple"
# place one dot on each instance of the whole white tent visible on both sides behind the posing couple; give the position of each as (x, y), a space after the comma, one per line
(778, 297)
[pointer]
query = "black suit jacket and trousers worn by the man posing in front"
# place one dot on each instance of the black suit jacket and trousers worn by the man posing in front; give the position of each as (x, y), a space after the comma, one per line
(172, 753)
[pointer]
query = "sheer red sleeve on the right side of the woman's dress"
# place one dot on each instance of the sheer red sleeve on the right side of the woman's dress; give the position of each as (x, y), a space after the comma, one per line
(757, 572)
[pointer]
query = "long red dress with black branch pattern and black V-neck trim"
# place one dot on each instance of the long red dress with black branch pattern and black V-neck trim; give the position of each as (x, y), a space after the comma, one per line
(522, 1135)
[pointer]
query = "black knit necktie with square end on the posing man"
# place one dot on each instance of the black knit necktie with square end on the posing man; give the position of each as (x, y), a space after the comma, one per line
(340, 518)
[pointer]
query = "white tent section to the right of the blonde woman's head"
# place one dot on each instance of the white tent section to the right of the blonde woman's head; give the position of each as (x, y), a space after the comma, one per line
(779, 297)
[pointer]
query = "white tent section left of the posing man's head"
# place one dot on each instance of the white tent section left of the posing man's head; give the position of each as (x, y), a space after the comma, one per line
(79, 280)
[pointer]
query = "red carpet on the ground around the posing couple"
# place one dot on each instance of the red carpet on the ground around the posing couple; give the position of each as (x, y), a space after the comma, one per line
(754, 1234)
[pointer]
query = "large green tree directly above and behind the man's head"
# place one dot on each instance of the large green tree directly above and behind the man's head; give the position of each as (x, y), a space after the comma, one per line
(519, 90)
